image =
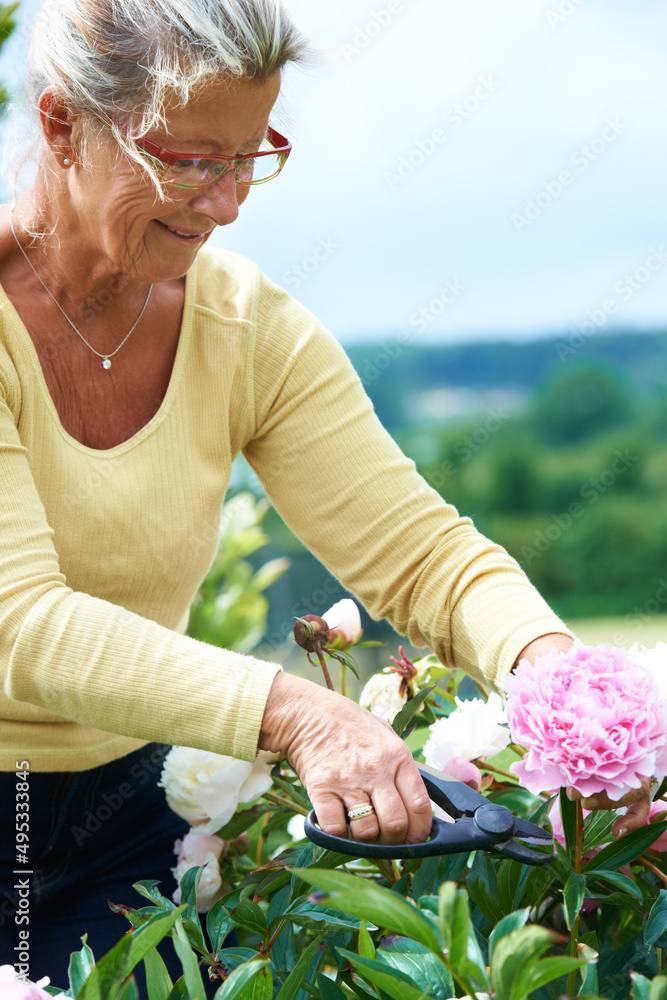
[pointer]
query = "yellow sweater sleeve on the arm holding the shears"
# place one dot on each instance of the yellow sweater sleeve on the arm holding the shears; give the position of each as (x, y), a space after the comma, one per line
(93, 662)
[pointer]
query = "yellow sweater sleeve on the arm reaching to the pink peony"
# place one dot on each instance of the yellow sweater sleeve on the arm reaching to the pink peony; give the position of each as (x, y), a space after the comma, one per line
(341, 483)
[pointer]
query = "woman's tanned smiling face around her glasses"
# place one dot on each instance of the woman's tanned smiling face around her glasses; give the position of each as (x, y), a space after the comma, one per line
(117, 211)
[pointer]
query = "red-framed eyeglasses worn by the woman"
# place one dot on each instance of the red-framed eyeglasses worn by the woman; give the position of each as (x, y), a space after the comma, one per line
(185, 170)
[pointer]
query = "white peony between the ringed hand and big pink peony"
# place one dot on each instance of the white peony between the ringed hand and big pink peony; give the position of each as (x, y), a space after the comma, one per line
(473, 731)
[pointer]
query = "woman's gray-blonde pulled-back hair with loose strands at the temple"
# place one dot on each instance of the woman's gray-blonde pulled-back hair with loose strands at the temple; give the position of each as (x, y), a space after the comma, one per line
(126, 59)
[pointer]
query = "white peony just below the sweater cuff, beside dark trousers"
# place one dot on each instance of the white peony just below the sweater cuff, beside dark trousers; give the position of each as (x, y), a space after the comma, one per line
(207, 788)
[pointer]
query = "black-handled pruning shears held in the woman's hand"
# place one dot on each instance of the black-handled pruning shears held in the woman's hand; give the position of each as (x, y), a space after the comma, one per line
(479, 825)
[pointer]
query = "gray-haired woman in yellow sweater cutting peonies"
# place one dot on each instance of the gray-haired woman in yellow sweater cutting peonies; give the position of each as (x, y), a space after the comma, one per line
(134, 365)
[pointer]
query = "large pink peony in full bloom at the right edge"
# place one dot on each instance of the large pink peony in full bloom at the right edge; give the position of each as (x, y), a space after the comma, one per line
(590, 718)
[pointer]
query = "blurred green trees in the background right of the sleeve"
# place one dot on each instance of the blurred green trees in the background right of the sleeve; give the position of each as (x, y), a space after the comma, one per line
(573, 485)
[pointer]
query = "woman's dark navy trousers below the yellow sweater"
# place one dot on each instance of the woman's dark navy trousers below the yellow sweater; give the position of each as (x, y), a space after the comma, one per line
(92, 834)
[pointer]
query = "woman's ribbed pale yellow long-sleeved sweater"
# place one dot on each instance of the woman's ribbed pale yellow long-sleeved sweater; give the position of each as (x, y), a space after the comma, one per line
(101, 552)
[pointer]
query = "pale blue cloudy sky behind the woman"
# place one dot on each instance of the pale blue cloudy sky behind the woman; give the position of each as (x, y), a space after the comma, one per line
(466, 169)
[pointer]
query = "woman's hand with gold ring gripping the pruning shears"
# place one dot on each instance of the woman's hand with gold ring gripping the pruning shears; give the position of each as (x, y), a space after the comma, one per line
(346, 757)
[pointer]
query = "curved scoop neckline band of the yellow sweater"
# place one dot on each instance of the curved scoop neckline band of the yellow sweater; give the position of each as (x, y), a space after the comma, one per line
(172, 389)
